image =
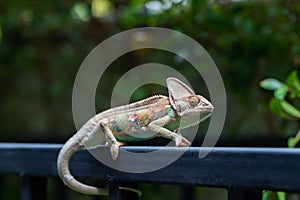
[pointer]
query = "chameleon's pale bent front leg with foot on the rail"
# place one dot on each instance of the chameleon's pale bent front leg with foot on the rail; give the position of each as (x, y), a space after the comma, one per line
(157, 126)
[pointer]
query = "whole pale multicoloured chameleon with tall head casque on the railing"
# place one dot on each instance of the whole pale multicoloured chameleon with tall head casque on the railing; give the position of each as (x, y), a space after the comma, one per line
(156, 116)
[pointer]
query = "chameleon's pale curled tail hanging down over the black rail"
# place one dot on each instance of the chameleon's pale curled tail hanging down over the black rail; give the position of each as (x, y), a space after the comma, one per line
(73, 145)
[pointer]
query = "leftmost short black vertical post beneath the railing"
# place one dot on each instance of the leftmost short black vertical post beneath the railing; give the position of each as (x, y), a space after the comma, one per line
(33, 188)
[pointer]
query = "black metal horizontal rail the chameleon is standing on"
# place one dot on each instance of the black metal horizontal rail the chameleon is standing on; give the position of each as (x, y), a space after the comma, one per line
(244, 172)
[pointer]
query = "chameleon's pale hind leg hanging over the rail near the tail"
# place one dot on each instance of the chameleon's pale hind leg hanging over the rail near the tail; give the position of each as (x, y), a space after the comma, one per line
(111, 139)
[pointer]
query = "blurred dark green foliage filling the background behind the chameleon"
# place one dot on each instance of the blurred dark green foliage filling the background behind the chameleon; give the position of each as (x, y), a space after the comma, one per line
(43, 43)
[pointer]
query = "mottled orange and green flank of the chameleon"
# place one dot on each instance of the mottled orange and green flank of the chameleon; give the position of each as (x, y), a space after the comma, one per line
(132, 125)
